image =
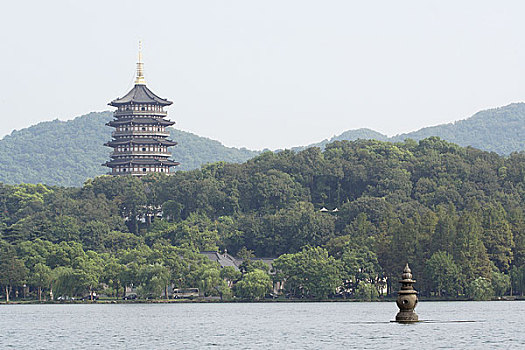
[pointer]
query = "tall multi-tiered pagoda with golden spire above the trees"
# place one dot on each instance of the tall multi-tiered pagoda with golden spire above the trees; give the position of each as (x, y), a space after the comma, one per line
(140, 140)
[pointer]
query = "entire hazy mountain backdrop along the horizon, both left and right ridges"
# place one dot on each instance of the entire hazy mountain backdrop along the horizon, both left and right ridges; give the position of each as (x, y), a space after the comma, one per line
(68, 153)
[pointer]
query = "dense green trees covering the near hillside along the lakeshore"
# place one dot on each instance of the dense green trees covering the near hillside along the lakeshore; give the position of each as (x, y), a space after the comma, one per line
(455, 214)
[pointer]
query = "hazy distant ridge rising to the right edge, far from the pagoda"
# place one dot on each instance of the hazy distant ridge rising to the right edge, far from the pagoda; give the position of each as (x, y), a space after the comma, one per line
(500, 130)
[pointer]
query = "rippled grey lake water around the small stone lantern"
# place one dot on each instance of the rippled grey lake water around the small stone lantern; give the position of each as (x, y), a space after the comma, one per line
(262, 326)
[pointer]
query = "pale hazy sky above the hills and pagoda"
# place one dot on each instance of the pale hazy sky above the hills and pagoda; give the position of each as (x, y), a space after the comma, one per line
(267, 73)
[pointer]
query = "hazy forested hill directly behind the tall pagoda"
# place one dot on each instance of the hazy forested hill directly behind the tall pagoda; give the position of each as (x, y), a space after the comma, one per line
(68, 153)
